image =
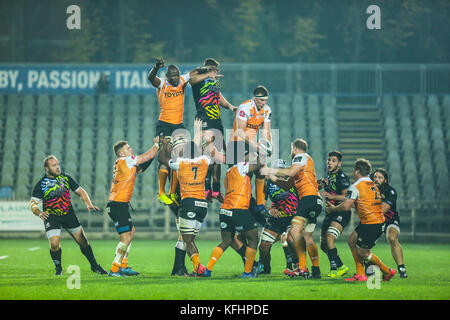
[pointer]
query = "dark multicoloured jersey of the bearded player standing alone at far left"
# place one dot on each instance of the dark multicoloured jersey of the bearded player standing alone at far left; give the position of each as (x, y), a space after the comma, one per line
(55, 193)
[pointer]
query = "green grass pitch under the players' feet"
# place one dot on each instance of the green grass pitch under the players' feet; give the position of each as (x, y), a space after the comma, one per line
(26, 274)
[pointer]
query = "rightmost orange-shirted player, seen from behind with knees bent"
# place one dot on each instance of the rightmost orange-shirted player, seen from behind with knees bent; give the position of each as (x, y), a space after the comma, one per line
(367, 199)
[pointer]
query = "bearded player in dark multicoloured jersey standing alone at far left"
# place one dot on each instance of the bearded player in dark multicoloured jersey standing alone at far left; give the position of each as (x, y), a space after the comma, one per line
(53, 191)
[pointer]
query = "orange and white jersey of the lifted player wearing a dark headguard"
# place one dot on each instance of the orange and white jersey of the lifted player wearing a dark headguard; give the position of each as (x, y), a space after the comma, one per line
(253, 118)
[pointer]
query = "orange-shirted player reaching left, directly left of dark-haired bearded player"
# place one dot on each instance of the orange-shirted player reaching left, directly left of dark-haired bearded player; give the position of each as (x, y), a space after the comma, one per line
(309, 207)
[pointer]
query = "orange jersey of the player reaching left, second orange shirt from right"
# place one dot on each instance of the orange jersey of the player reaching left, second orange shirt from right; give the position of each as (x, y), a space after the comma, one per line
(305, 180)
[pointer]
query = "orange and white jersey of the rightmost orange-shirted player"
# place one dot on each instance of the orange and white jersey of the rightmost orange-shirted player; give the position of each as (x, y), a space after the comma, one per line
(367, 201)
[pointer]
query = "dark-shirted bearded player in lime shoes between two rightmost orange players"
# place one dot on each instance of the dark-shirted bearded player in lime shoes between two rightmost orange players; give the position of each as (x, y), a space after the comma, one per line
(335, 186)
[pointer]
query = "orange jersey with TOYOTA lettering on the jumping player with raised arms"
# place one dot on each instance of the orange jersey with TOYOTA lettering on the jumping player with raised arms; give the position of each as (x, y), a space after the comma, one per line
(171, 100)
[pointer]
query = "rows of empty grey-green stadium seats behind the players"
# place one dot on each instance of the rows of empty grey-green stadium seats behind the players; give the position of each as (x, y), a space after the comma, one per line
(80, 130)
